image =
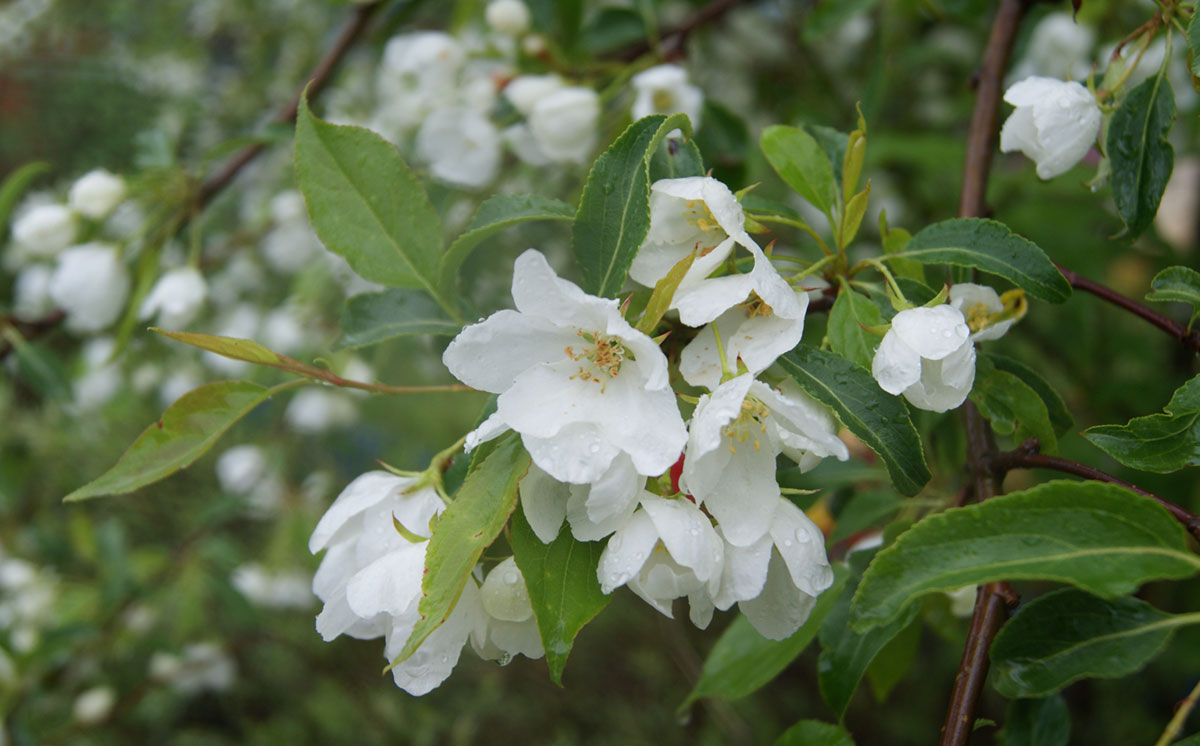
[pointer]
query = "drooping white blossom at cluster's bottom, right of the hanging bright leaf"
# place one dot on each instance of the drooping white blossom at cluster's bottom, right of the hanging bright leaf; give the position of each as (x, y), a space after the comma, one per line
(669, 550)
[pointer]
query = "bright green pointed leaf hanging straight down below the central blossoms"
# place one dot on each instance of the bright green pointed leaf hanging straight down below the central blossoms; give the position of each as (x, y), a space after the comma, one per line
(563, 588)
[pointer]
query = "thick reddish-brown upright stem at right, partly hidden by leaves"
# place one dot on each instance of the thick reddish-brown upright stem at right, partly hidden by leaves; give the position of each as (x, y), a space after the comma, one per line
(993, 599)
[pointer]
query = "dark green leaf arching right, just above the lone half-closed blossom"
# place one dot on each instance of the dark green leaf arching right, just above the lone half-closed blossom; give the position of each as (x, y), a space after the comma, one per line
(992, 248)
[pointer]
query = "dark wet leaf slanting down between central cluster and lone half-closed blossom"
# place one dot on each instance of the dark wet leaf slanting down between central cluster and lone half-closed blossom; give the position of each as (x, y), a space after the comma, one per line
(877, 418)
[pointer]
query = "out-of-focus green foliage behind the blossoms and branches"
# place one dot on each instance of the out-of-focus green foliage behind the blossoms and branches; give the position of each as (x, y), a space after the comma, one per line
(163, 93)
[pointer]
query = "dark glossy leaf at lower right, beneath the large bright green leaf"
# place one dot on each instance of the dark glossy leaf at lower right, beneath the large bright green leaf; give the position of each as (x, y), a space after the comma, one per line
(1071, 635)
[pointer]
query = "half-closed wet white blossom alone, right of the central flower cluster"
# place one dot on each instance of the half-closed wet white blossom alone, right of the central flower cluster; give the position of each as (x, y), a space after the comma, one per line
(928, 357)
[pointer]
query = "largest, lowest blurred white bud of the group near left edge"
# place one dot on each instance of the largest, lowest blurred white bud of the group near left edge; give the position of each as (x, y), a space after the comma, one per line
(91, 284)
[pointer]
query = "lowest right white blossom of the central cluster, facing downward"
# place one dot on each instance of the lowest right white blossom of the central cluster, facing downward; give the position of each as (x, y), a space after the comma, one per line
(777, 580)
